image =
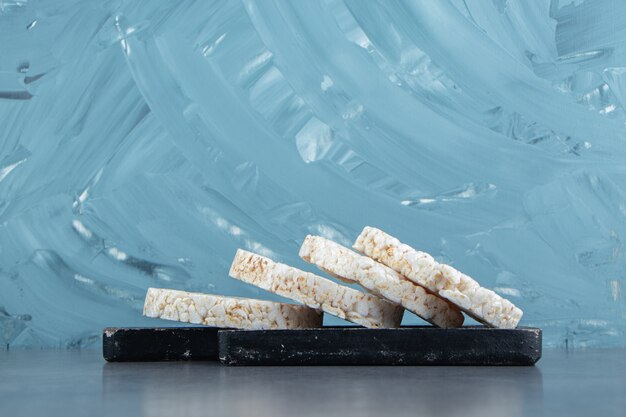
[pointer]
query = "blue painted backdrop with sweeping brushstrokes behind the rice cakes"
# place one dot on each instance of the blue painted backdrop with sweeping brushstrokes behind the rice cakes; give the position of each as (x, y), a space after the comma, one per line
(141, 143)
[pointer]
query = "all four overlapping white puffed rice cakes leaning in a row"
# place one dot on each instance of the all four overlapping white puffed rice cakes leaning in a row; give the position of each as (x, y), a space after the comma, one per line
(394, 277)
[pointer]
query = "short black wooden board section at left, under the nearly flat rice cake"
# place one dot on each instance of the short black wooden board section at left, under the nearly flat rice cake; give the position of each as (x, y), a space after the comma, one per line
(159, 344)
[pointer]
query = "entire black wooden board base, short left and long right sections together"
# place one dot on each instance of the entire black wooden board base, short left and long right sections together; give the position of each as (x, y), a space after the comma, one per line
(349, 345)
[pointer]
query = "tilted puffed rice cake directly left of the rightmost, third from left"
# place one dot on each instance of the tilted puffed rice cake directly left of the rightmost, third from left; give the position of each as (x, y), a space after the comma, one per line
(380, 280)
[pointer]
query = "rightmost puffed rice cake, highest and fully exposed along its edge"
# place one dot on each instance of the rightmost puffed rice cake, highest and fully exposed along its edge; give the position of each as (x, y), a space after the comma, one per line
(478, 302)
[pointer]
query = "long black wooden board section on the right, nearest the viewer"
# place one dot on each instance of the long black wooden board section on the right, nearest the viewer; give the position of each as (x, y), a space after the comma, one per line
(411, 345)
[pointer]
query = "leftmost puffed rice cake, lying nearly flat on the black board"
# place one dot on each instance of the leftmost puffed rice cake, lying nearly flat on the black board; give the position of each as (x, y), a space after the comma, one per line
(228, 312)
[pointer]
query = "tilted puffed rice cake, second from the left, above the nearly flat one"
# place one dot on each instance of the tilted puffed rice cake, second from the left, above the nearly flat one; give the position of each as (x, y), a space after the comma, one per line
(316, 292)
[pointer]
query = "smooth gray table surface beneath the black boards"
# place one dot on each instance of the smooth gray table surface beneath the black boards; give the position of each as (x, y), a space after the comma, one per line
(81, 383)
